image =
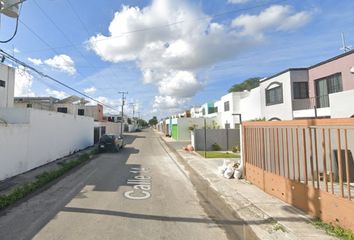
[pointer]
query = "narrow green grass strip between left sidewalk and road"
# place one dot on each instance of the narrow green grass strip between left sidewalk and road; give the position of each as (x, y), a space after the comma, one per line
(41, 180)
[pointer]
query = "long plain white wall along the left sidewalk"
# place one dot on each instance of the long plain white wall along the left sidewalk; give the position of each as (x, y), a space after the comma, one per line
(35, 137)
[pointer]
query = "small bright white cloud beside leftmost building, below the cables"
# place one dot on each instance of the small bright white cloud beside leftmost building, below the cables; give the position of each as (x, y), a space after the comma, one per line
(23, 83)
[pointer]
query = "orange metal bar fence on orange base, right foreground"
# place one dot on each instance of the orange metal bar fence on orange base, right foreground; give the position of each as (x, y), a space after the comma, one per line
(307, 163)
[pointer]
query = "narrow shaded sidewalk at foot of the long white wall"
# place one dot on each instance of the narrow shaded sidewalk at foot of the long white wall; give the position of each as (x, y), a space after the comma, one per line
(9, 184)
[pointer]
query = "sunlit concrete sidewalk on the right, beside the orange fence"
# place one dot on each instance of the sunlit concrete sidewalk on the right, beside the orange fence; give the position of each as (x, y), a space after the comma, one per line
(269, 217)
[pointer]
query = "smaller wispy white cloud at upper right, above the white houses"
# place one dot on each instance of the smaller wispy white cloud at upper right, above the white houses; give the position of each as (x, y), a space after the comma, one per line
(276, 17)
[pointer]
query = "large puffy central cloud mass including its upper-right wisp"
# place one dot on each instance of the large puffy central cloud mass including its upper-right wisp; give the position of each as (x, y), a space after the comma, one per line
(170, 46)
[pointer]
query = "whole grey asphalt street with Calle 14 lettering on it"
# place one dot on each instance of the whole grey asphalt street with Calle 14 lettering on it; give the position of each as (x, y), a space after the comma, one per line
(140, 192)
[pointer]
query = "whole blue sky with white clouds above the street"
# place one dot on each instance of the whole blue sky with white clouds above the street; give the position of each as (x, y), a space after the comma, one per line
(188, 53)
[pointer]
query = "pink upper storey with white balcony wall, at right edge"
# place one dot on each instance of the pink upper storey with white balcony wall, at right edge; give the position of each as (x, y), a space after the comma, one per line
(330, 89)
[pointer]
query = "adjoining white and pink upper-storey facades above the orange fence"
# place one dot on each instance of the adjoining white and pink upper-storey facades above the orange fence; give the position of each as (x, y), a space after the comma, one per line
(324, 90)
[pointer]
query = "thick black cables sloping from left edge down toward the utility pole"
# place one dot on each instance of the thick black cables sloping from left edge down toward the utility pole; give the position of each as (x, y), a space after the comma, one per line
(19, 62)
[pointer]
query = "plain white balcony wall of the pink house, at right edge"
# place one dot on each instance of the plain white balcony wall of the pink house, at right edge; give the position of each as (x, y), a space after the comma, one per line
(342, 104)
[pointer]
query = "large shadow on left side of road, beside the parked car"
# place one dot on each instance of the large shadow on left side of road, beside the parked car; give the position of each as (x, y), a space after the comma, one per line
(106, 172)
